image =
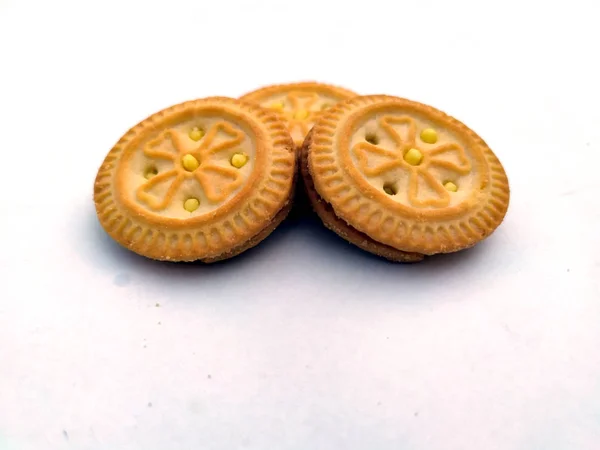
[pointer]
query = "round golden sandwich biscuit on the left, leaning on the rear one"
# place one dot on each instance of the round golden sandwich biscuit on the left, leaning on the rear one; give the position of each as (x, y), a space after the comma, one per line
(202, 180)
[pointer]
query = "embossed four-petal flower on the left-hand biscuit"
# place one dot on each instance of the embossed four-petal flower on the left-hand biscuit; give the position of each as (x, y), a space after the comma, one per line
(217, 181)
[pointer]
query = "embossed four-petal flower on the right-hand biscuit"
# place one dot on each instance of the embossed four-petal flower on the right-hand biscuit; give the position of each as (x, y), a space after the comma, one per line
(450, 156)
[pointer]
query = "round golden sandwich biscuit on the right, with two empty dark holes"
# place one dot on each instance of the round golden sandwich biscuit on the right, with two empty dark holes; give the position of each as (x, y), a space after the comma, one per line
(405, 175)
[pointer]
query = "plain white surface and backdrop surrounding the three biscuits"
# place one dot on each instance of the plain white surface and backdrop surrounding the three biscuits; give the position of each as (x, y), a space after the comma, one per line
(303, 343)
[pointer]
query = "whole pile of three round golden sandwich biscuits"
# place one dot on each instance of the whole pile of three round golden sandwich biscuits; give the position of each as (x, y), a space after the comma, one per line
(208, 179)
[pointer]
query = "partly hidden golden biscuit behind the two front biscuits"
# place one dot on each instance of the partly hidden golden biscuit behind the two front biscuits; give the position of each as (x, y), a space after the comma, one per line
(300, 104)
